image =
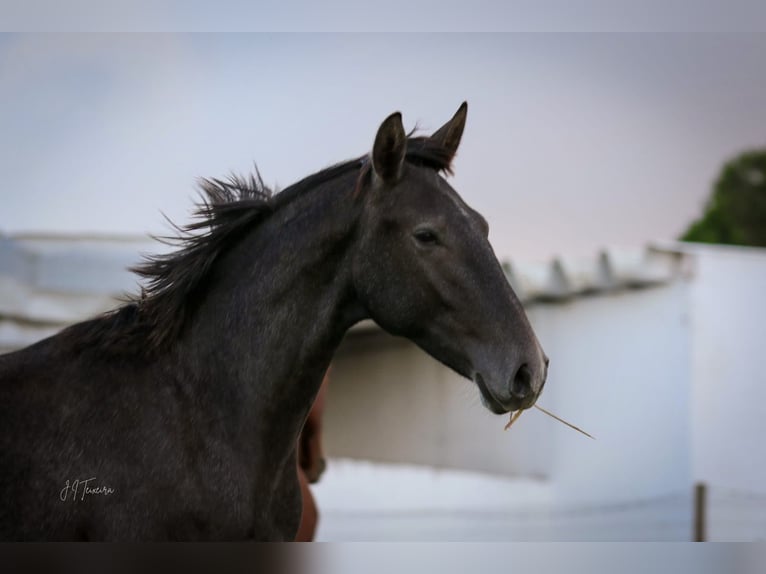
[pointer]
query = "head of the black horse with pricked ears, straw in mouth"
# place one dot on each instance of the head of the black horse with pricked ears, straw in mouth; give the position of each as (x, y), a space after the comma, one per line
(425, 270)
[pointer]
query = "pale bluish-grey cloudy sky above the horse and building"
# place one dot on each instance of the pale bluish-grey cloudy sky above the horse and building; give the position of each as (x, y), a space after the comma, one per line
(574, 142)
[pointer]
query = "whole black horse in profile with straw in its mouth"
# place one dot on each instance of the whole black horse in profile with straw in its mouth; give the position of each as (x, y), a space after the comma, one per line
(176, 415)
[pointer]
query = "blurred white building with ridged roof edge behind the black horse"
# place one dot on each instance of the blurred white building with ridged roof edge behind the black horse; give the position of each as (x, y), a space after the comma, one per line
(657, 352)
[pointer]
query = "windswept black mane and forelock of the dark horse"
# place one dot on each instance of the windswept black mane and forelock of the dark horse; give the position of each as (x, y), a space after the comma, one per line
(153, 319)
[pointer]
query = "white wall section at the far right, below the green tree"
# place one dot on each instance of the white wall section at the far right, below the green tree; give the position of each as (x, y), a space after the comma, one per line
(729, 368)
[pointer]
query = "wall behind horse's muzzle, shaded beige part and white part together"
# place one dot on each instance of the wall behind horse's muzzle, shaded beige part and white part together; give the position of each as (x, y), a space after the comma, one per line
(620, 368)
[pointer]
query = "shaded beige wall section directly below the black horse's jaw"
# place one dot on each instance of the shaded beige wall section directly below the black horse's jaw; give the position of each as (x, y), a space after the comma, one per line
(388, 401)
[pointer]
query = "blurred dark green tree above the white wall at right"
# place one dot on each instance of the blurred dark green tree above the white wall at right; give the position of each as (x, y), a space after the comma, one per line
(736, 211)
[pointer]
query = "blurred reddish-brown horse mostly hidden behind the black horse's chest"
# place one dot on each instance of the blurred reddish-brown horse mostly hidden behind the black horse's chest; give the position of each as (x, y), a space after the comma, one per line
(311, 465)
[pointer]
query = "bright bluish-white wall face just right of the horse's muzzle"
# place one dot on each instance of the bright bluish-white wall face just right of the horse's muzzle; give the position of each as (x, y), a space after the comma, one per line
(620, 368)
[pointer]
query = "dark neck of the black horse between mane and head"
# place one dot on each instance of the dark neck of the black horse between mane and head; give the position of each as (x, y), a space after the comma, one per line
(281, 300)
